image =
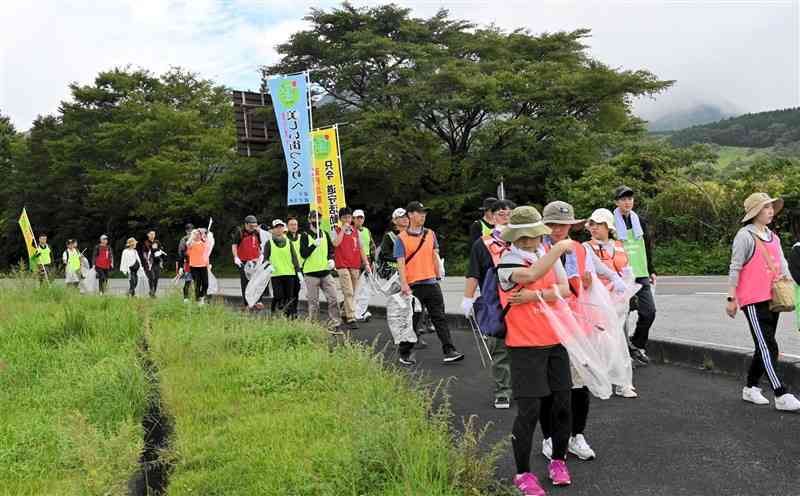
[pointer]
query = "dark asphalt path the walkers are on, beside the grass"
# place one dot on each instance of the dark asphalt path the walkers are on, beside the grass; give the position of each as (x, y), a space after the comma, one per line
(688, 433)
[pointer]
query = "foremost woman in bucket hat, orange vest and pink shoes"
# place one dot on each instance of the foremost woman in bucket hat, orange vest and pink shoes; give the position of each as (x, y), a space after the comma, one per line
(530, 279)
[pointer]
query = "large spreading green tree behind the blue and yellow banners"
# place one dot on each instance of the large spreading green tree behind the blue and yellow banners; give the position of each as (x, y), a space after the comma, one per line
(439, 108)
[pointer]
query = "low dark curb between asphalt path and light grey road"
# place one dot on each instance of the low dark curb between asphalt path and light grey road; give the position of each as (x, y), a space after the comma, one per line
(725, 360)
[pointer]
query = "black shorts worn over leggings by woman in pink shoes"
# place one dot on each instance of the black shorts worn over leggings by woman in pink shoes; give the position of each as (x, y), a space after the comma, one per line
(536, 372)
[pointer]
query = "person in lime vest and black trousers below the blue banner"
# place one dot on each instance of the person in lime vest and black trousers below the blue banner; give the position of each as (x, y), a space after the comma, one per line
(280, 253)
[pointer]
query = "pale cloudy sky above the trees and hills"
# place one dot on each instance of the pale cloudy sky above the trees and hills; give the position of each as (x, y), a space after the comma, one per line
(743, 55)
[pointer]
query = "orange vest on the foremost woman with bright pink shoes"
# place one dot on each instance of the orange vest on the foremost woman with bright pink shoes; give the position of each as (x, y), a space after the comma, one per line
(526, 325)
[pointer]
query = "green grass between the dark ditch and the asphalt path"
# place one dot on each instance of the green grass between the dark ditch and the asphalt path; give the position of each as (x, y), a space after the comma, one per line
(268, 407)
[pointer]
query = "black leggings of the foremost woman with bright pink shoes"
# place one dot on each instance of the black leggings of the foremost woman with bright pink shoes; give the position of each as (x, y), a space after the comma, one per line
(525, 424)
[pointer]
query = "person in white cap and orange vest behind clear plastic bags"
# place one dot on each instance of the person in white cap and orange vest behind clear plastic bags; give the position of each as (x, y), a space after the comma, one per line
(610, 252)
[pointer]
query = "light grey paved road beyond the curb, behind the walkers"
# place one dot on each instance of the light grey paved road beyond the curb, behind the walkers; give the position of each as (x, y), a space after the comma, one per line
(690, 309)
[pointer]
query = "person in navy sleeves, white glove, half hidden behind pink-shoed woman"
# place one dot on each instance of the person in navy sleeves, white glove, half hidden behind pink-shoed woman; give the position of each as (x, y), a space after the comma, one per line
(485, 254)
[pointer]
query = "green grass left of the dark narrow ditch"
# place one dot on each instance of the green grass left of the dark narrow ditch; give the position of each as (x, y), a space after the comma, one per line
(72, 393)
